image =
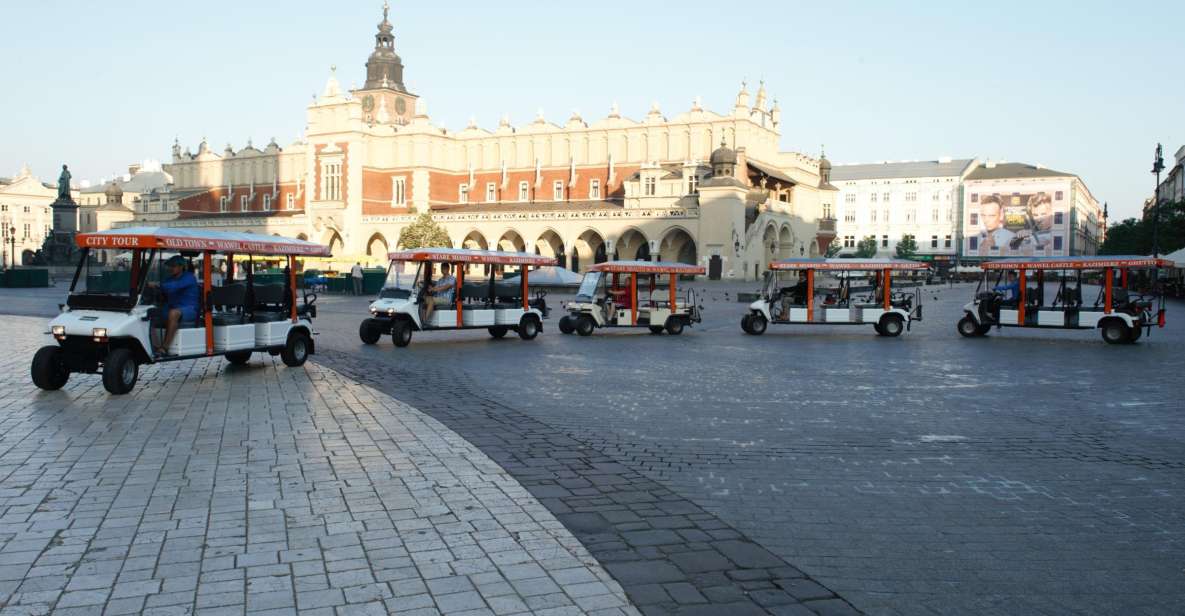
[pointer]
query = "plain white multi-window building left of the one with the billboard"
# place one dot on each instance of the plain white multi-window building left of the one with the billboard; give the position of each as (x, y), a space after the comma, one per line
(889, 201)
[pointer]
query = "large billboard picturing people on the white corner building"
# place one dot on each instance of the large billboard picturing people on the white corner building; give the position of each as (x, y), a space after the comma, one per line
(1016, 226)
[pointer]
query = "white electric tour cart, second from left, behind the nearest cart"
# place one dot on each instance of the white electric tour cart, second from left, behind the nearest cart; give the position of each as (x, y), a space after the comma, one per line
(483, 298)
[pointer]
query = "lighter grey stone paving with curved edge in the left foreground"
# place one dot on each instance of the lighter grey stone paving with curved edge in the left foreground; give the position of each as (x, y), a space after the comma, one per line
(215, 490)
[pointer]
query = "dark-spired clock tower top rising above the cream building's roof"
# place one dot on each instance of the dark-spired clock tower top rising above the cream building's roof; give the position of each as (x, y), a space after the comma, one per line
(386, 100)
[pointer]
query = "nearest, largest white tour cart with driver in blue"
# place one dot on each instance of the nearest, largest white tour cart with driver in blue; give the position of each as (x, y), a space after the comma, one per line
(107, 324)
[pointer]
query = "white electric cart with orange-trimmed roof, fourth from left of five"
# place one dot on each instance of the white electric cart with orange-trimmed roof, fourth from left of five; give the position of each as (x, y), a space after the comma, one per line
(857, 292)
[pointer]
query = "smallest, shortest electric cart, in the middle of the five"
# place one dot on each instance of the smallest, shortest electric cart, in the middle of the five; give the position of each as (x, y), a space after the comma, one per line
(608, 298)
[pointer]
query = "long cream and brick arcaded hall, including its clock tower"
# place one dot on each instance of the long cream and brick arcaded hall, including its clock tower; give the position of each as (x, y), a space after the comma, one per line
(697, 188)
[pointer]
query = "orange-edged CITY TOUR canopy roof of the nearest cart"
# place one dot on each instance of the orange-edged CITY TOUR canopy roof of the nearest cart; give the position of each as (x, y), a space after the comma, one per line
(196, 240)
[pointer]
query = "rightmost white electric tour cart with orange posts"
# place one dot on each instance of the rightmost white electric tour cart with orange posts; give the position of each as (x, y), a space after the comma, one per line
(1004, 298)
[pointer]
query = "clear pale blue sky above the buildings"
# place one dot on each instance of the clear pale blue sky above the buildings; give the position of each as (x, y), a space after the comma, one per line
(1082, 87)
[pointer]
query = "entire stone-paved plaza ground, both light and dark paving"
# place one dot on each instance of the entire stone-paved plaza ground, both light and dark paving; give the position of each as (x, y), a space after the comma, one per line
(822, 471)
